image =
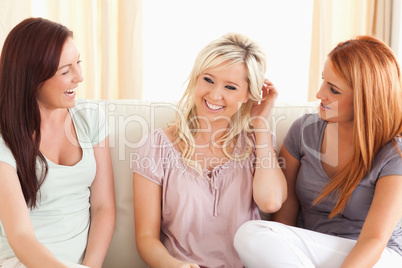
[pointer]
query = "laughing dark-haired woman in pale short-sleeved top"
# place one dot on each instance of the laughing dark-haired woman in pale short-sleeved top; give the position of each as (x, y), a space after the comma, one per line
(56, 196)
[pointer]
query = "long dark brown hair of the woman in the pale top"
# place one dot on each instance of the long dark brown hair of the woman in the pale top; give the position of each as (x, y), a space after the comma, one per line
(30, 56)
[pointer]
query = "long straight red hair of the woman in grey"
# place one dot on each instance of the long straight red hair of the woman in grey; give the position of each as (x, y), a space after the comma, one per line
(372, 71)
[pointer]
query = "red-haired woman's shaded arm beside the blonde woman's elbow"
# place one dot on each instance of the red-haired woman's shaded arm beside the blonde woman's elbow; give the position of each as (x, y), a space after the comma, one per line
(290, 209)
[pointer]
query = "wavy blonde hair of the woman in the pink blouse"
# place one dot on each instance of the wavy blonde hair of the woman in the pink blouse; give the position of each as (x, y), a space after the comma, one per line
(229, 49)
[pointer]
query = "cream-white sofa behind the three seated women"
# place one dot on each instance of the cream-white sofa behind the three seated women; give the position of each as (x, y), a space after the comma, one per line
(128, 121)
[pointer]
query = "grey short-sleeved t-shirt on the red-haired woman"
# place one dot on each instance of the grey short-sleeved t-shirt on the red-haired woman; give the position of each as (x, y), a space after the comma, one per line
(304, 141)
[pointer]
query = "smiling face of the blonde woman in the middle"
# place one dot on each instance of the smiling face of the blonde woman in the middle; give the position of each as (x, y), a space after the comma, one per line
(220, 92)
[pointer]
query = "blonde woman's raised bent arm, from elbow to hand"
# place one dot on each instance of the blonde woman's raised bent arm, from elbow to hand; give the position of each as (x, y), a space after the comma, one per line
(269, 185)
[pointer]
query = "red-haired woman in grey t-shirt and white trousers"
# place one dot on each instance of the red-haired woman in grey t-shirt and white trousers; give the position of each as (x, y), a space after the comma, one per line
(344, 171)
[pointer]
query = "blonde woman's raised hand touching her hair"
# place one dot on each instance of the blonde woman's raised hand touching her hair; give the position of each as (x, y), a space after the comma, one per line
(261, 111)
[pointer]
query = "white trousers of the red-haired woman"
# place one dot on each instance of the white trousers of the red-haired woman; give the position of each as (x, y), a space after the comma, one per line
(272, 244)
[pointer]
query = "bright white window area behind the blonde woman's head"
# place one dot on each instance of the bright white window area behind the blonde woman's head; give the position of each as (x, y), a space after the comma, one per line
(176, 30)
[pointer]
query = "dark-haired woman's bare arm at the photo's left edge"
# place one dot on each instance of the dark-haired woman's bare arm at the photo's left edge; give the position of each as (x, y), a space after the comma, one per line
(17, 223)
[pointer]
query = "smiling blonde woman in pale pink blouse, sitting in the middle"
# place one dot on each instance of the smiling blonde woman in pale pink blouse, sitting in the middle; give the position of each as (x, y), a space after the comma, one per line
(193, 181)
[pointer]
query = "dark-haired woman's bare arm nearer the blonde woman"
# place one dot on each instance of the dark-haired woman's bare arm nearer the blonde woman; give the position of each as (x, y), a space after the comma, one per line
(103, 209)
